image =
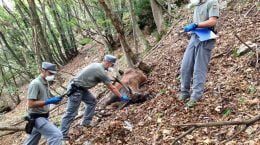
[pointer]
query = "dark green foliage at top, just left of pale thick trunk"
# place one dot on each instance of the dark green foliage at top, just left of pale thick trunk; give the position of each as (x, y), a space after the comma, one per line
(144, 12)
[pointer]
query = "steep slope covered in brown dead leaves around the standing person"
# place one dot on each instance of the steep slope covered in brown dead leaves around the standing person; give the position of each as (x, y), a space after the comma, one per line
(232, 90)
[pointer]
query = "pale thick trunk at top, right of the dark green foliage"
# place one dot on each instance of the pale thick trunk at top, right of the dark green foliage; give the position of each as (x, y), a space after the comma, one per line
(158, 15)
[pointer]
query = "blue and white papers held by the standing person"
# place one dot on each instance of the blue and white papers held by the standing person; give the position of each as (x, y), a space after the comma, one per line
(204, 34)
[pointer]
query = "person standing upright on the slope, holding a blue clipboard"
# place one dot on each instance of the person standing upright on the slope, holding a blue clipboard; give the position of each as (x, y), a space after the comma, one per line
(197, 54)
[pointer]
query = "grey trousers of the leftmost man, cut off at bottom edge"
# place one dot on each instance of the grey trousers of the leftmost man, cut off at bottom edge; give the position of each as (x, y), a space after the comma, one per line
(44, 127)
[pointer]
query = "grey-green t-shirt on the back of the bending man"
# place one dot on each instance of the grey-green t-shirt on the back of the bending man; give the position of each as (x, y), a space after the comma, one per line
(91, 75)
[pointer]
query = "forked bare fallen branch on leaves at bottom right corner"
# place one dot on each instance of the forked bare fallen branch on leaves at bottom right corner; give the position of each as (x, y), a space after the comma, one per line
(194, 126)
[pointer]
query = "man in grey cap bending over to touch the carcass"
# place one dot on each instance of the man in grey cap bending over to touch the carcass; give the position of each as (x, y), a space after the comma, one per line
(78, 90)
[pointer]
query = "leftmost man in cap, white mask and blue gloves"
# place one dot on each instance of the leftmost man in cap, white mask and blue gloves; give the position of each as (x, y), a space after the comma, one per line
(38, 102)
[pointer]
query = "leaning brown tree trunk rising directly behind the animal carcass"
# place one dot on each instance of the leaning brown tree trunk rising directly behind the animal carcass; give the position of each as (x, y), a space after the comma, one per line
(131, 58)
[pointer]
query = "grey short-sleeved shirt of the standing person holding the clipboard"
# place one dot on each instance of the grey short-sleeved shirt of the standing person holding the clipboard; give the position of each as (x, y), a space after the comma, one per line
(202, 12)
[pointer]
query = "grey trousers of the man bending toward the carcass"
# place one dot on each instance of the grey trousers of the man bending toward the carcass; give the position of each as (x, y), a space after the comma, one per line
(74, 101)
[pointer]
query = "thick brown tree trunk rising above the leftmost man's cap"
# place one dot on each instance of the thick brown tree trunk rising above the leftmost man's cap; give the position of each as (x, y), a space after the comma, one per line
(36, 25)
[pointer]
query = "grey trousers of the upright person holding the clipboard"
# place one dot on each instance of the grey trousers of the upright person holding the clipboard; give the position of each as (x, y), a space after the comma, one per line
(195, 63)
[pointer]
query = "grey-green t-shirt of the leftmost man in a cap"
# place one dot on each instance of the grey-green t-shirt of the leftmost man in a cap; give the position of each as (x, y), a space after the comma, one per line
(38, 90)
